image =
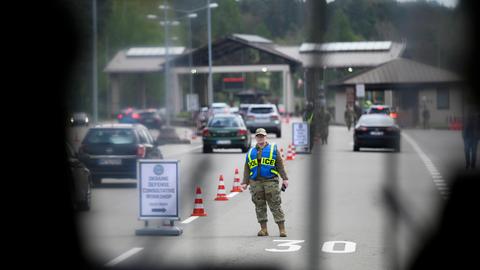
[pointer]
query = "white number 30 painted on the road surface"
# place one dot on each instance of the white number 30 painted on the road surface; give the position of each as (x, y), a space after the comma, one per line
(328, 247)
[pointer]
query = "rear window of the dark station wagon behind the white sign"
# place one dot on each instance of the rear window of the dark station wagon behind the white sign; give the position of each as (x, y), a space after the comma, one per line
(110, 136)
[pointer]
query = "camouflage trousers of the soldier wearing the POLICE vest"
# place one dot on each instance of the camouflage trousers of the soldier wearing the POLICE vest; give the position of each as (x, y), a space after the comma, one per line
(263, 192)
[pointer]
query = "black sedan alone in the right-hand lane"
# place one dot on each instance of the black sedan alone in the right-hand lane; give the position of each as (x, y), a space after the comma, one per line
(376, 131)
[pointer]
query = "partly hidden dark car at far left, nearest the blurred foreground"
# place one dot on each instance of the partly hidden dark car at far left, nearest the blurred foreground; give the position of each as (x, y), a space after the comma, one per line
(81, 177)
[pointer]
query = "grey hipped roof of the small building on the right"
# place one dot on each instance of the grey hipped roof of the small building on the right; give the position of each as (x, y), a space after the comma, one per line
(400, 71)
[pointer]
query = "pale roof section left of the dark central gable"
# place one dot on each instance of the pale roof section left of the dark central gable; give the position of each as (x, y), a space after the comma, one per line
(140, 59)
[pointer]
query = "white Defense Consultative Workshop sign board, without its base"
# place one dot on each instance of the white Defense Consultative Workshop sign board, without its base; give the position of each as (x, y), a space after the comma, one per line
(158, 189)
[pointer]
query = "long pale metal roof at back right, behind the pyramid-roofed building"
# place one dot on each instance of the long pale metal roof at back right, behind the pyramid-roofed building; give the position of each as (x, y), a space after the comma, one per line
(344, 54)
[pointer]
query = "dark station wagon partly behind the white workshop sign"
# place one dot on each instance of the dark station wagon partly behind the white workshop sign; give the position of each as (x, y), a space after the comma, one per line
(112, 150)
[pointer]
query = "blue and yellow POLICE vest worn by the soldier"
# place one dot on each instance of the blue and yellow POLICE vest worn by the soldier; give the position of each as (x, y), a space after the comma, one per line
(267, 162)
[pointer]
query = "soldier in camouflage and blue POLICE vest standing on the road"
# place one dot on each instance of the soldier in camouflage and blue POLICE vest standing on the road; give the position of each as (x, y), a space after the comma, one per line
(262, 169)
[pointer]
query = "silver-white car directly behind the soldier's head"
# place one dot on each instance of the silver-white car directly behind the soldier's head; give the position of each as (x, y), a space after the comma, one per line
(264, 116)
